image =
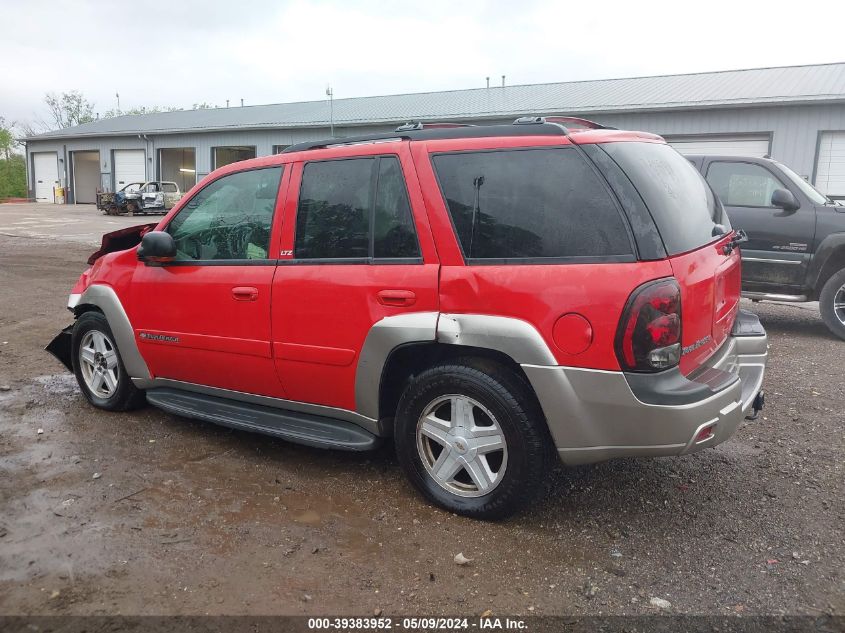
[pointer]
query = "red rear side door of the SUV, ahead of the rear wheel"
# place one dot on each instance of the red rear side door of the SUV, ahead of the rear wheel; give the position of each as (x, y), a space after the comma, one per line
(361, 251)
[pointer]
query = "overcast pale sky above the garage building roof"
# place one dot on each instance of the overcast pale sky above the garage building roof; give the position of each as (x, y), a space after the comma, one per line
(180, 52)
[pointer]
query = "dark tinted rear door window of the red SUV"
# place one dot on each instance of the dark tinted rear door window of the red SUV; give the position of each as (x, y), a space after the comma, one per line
(355, 209)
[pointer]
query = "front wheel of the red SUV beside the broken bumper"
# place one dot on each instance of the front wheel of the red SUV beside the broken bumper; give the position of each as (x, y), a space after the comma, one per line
(98, 367)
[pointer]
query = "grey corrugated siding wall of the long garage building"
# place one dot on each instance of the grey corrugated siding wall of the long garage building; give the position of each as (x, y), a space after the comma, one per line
(794, 131)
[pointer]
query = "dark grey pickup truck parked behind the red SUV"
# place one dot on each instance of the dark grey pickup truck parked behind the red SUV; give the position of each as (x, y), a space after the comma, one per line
(796, 235)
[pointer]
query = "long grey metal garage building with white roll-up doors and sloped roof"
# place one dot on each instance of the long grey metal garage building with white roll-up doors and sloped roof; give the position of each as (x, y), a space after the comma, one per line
(794, 114)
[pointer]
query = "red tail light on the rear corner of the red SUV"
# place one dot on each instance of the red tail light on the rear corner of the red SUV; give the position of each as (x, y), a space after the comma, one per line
(649, 335)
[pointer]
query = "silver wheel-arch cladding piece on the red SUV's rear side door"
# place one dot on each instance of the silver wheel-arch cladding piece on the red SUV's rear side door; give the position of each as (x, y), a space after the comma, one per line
(383, 337)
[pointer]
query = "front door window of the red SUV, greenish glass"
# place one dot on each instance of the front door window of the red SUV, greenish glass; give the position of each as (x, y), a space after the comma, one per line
(230, 219)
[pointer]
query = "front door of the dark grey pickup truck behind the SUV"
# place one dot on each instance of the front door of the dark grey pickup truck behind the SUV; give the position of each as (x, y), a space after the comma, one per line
(780, 243)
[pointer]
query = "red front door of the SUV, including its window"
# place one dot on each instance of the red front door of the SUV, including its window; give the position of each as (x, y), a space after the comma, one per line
(205, 317)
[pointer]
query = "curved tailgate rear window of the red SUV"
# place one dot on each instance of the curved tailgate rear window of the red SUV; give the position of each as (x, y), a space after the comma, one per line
(680, 200)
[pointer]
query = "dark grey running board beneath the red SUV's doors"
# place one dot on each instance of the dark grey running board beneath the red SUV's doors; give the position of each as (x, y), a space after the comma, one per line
(301, 428)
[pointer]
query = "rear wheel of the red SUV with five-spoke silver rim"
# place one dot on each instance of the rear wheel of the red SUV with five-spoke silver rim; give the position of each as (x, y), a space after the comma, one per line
(472, 439)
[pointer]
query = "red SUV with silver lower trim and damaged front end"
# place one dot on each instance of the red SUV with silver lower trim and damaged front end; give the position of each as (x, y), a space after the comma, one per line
(488, 296)
